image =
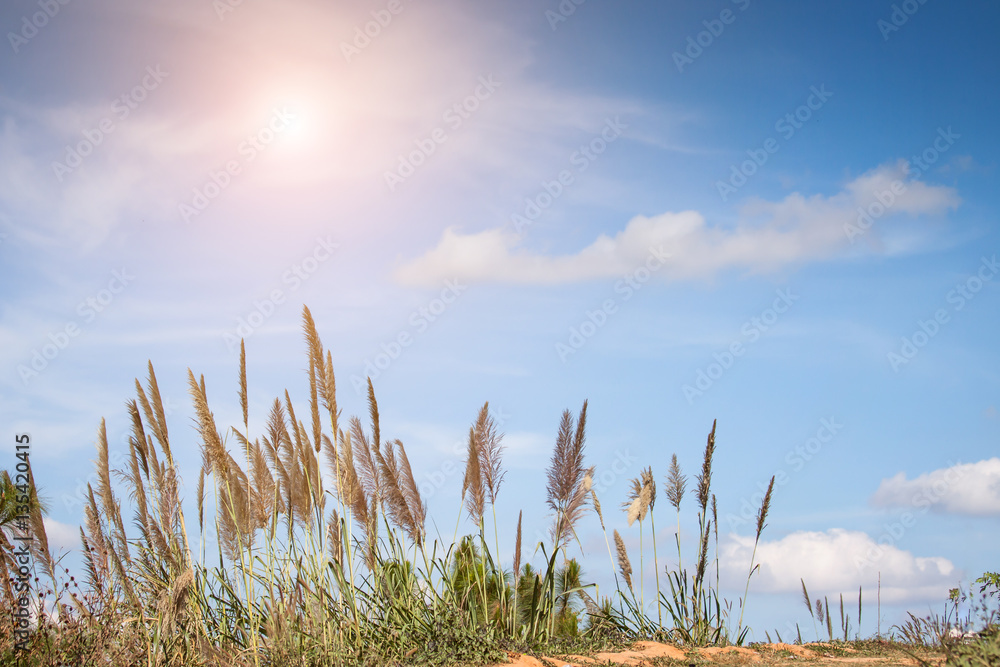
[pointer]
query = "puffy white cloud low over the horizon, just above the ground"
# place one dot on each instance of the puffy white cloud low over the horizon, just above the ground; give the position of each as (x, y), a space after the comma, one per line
(836, 561)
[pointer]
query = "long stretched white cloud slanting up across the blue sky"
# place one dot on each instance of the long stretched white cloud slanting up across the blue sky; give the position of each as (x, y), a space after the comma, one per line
(768, 236)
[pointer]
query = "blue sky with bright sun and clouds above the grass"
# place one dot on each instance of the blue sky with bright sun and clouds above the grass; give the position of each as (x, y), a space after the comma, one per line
(779, 216)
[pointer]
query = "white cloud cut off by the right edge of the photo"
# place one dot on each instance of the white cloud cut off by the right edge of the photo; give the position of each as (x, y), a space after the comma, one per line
(964, 488)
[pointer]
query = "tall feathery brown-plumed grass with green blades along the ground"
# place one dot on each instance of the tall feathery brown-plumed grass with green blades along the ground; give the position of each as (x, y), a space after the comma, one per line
(323, 556)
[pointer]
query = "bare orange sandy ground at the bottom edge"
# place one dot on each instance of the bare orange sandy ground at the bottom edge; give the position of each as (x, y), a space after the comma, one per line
(653, 654)
